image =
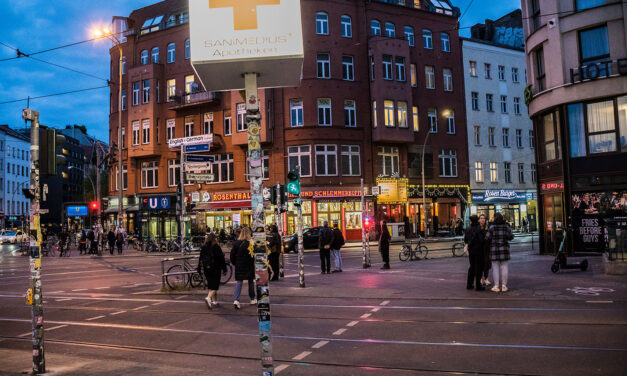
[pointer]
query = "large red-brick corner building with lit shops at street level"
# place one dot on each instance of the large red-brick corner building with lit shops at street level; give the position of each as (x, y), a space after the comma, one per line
(378, 77)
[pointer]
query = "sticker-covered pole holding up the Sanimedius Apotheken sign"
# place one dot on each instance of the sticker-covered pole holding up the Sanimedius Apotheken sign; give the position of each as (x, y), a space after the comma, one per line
(253, 121)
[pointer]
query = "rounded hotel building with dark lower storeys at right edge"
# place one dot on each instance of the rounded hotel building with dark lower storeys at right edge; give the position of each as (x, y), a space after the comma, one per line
(577, 62)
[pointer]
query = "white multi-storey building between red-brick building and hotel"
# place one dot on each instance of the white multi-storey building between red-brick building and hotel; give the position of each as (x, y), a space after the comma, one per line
(500, 133)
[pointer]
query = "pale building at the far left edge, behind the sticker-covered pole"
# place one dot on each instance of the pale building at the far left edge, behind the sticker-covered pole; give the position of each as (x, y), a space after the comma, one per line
(14, 176)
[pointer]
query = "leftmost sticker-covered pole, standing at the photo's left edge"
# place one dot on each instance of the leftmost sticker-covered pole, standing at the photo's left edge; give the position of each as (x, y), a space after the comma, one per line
(35, 294)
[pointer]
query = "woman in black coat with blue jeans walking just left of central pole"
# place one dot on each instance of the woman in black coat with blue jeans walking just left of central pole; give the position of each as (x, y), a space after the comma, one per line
(242, 259)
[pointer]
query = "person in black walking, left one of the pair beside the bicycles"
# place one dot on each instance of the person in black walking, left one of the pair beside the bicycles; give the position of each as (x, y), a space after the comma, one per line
(211, 264)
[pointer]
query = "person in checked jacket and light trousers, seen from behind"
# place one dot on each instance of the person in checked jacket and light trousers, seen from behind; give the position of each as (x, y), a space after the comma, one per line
(499, 235)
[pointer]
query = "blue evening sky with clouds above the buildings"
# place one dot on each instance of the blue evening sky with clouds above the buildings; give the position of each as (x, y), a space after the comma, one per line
(34, 25)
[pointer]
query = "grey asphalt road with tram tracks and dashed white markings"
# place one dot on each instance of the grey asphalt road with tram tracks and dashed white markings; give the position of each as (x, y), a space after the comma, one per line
(108, 316)
